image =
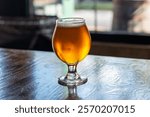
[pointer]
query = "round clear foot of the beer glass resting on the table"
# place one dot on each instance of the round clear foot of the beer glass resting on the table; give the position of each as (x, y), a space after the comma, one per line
(71, 82)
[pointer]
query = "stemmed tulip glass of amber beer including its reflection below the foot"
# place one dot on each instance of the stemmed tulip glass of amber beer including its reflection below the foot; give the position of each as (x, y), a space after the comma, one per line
(71, 42)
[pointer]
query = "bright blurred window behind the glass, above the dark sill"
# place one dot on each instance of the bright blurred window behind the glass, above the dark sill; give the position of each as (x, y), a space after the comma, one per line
(101, 15)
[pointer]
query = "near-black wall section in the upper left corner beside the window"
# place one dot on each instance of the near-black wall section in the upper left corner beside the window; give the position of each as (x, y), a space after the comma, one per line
(15, 7)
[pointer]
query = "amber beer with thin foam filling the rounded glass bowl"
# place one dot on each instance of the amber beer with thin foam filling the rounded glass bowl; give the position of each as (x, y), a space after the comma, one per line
(71, 41)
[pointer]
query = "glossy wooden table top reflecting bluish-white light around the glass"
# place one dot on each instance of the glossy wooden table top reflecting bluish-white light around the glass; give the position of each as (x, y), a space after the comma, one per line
(33, 75)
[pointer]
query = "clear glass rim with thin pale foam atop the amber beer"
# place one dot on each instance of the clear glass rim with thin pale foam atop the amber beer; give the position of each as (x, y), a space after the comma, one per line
(70, 22)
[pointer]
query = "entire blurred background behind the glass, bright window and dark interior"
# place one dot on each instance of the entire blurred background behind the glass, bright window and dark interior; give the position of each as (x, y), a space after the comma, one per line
(117, 27)
